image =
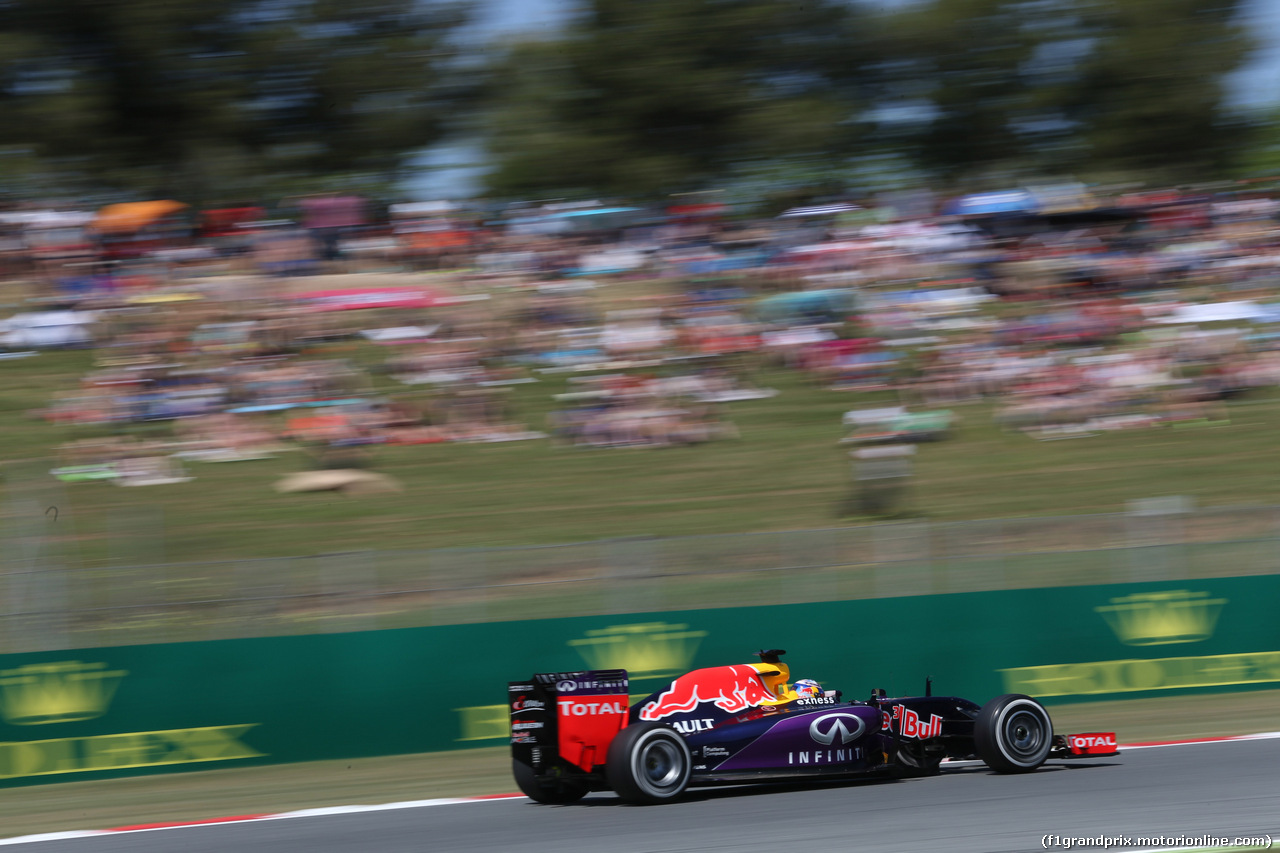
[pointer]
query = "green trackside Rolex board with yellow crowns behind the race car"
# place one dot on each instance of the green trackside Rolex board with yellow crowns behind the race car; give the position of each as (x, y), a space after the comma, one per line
(99, 713)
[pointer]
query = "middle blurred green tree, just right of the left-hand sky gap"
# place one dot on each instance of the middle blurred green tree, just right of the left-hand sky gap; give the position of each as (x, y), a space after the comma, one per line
(643, 99)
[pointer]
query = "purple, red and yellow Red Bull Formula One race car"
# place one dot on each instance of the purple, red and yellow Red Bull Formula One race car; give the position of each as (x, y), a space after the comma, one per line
(573, 733)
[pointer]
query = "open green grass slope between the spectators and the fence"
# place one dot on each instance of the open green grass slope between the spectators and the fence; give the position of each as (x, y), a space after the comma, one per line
(787, 472)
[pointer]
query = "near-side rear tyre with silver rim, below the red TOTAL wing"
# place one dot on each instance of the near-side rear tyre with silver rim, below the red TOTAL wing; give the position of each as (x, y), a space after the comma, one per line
(648, 764)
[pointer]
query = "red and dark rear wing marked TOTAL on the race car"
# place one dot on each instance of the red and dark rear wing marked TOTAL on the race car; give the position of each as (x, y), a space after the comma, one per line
(568, 718)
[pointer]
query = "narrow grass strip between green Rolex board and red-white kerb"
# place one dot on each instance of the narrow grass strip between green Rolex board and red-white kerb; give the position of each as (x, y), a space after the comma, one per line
(217, 793)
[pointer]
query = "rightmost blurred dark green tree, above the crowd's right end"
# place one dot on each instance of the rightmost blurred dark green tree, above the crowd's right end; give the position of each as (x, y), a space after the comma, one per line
(1069, 86)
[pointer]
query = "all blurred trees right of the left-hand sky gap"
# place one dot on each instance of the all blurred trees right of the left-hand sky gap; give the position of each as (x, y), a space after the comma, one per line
(643, 98)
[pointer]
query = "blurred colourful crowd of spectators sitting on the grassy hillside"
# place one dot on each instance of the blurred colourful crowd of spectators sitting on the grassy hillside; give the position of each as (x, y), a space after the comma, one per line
(1137, 312)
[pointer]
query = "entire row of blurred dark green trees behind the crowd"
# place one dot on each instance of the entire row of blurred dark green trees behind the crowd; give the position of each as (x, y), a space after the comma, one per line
(243, 98)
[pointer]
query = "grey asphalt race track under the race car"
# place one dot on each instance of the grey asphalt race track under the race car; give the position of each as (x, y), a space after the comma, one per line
(1219, 790)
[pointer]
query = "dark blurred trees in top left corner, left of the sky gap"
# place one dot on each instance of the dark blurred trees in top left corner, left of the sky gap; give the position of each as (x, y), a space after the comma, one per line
(213, 101)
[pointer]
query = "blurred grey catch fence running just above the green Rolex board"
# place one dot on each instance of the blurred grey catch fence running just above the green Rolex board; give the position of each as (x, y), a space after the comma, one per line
(47, 603)
